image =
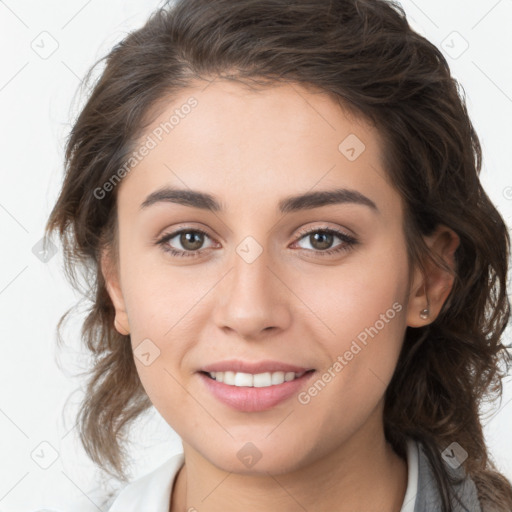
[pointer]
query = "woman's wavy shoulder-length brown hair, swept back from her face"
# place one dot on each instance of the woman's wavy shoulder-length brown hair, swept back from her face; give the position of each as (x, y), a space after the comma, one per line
(363, 54)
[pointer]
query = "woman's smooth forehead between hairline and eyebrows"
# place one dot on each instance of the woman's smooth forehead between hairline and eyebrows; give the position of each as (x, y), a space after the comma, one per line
(241, 143)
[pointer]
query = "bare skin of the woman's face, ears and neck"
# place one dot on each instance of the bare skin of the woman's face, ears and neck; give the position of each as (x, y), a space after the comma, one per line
(251, 149)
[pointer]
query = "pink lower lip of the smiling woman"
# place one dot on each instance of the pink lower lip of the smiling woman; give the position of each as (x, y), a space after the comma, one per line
(251, 399)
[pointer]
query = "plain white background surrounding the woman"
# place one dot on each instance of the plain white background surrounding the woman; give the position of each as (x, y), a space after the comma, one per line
(47, 47)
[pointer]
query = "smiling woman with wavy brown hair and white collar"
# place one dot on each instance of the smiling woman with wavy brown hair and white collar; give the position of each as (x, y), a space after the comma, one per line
(291, 257)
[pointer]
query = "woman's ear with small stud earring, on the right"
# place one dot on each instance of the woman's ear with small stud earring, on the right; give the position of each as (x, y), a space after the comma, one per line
(430, 290)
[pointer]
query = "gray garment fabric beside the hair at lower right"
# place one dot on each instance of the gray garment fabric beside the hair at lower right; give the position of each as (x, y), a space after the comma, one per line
(429, 499)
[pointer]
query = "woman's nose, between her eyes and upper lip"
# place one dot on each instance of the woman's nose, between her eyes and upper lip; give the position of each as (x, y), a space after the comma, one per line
(252, 299)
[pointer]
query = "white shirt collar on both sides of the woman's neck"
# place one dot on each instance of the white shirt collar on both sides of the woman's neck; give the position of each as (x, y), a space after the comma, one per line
(153, 491)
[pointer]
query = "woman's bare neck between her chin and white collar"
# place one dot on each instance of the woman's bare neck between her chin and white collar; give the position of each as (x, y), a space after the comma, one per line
(364, 473)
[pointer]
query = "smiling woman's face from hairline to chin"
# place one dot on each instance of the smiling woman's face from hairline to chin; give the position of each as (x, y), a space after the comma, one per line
(315, 284)
